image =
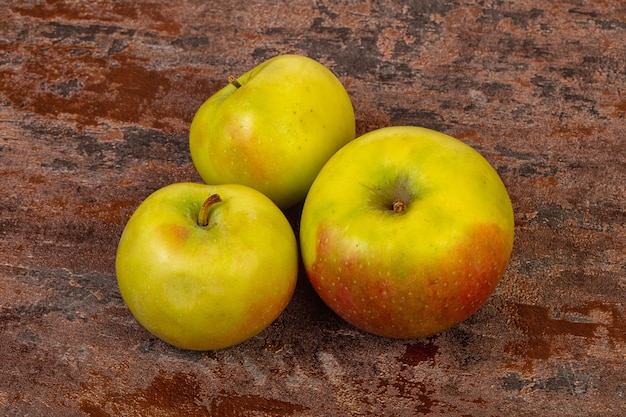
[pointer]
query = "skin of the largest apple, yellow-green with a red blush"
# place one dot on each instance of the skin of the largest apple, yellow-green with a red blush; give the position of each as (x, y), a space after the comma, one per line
(416, 272)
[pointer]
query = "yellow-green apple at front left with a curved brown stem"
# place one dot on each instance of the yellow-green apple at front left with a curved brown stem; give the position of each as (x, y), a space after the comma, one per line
(206, 267)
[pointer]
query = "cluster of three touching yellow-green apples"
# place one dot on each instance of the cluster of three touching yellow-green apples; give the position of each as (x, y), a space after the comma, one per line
(404, 233)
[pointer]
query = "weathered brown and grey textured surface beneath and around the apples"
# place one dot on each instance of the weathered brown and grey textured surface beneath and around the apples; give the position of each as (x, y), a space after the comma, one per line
(96, 100)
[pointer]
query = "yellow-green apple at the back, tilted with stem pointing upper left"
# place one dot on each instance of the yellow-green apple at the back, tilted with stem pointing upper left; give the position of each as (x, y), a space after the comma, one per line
(273, 128)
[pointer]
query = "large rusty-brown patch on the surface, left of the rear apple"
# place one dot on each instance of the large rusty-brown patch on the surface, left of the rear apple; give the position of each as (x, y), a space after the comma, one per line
(122, 89)
